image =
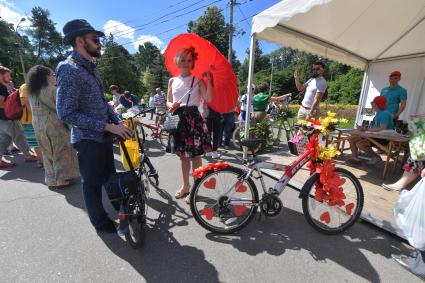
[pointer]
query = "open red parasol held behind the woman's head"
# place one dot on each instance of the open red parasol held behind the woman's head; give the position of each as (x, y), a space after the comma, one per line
(209, 59)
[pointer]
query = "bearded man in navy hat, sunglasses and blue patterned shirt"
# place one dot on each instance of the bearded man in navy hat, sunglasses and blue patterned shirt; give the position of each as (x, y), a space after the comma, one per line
(81, 103)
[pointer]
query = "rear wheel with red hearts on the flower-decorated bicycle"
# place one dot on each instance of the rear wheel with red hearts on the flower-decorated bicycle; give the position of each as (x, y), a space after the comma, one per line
(223, 202)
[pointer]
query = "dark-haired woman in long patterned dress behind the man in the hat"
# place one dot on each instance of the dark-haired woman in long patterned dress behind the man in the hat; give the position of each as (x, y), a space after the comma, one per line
(59, 158)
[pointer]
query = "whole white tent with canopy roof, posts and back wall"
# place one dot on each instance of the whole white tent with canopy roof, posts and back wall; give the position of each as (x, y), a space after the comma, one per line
(377, 36)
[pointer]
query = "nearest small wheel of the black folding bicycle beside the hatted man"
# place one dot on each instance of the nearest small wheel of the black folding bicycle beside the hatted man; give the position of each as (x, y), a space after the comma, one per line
(136, 219)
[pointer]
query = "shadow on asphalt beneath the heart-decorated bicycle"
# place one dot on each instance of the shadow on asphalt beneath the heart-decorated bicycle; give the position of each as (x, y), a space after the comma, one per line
(277, 235)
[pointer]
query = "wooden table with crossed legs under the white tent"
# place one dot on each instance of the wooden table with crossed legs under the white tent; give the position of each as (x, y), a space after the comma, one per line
(396, 144)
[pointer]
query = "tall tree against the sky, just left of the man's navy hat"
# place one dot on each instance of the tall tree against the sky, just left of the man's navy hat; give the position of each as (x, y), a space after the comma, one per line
(48, 42)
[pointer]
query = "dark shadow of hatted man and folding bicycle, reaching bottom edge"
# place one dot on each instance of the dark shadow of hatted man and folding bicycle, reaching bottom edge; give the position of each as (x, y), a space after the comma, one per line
(163, 258)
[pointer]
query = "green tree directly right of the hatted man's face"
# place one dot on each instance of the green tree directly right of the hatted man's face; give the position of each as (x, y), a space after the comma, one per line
(116, 66)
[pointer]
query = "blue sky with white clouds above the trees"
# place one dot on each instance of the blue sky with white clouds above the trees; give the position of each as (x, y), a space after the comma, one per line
(129, 19)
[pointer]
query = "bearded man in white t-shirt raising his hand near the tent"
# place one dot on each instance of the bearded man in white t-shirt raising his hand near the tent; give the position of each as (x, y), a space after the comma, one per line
(314, 89)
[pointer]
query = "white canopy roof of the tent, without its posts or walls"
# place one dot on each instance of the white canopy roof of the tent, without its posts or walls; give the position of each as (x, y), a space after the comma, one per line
(341, 29)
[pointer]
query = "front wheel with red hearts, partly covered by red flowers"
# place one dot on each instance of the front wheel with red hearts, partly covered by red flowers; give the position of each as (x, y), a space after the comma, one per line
(333, 219)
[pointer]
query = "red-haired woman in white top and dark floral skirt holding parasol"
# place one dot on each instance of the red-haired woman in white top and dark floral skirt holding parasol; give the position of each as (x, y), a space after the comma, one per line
(192, 139)
